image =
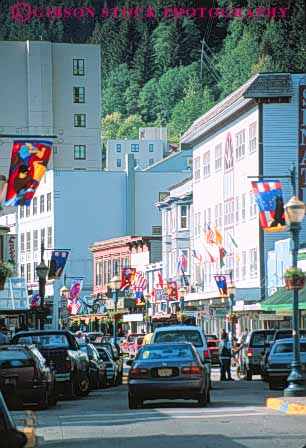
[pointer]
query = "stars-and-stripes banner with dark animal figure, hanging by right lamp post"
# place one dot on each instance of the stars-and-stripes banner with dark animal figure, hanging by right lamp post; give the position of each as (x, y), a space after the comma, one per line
(269, 198)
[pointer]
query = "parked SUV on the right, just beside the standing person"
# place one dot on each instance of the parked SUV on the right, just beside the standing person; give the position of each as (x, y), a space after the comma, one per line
(250, 355)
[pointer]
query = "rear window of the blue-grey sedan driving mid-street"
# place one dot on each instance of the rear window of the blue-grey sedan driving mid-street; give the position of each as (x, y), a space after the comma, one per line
(151, 352)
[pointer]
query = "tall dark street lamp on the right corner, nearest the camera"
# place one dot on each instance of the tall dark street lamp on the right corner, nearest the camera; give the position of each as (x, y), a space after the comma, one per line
(294, 215)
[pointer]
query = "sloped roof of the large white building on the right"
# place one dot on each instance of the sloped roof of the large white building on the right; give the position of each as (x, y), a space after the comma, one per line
(261, 85)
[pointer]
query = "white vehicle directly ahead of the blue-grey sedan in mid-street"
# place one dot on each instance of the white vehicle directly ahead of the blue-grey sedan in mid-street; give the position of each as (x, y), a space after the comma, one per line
(185, 333)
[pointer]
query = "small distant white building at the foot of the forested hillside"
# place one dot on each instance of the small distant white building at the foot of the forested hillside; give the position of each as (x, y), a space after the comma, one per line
(151, 147)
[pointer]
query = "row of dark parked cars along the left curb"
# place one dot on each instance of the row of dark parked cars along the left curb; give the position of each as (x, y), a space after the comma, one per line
(39, 367)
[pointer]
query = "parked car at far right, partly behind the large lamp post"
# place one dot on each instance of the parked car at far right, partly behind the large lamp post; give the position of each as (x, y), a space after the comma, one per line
(280, 359)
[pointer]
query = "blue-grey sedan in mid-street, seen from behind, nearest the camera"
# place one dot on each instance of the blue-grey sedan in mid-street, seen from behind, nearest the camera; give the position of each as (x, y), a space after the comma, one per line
(167, 371)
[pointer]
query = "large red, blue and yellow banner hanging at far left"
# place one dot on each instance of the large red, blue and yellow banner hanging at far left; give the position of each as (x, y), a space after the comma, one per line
(29, 162)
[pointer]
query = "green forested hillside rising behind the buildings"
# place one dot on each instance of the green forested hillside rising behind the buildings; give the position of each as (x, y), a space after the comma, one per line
(169, 72)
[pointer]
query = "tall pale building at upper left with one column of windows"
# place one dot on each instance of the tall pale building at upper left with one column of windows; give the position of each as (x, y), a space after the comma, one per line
(52, 89)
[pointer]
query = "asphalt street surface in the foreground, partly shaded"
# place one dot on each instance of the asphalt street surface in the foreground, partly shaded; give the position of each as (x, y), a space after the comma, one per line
(236, 418)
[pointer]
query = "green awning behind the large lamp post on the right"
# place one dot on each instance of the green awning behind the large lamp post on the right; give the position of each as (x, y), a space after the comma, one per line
(281, 300)
